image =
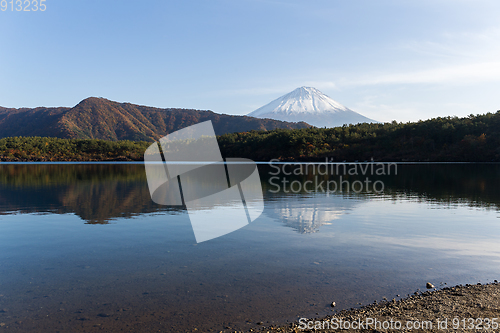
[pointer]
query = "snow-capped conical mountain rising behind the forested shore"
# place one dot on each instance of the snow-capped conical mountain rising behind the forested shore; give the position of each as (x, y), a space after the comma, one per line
(312, 106)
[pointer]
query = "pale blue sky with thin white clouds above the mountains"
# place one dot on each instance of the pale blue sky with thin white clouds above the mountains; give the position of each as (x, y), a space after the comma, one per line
(388, 60)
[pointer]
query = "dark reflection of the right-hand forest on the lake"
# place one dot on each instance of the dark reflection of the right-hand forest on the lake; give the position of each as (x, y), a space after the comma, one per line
(473, 184)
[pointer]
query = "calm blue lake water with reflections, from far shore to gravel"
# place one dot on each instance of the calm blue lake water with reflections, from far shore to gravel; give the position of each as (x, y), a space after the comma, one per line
(83, 247)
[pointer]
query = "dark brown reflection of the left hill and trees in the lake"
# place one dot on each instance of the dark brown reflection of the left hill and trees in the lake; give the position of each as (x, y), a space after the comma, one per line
(97, 193)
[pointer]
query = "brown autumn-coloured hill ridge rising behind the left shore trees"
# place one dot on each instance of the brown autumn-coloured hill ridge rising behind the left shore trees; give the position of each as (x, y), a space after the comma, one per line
(100, 118)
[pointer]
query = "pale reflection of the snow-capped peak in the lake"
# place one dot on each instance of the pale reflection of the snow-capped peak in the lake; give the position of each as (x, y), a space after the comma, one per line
(308, 214)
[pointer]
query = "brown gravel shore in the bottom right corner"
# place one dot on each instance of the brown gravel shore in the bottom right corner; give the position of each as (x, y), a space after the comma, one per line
(469, 308)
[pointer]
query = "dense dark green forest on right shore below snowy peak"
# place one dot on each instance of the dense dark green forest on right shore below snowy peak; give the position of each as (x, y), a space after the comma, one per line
(472, 138)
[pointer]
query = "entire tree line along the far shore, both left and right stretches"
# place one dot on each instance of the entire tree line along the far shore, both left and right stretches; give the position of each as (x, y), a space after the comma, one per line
(475, 138)
